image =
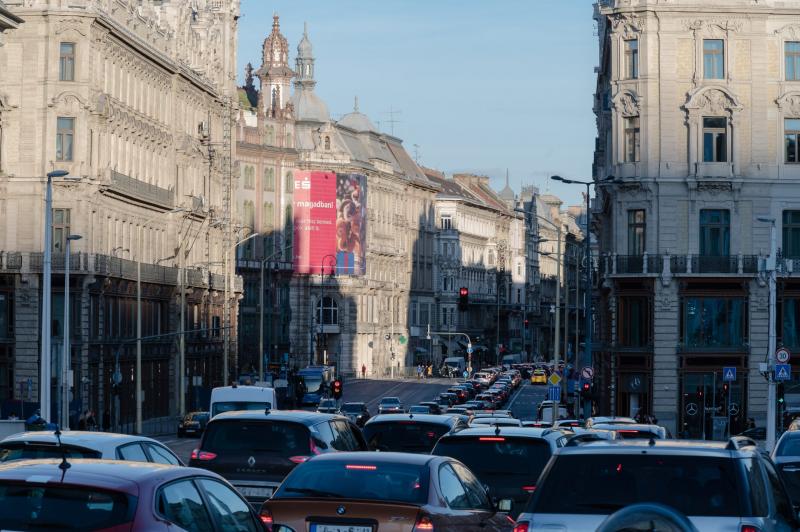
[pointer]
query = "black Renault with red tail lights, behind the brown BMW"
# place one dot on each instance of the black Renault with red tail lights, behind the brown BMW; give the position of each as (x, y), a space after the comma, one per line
(256, 450)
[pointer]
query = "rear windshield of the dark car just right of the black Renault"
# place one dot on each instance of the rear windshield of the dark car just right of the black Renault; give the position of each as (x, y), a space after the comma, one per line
(404, 436)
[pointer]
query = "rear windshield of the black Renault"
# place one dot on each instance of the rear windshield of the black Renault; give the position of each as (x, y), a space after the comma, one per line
(271, 437)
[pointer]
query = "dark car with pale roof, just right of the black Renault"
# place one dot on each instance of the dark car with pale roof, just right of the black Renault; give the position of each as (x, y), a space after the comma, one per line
(415, 433)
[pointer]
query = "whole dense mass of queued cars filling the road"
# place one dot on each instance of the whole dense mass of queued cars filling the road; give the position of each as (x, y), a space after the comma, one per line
(460, 461)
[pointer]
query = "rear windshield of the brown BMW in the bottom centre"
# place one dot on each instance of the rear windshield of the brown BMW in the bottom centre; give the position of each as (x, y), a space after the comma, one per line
(378, 482)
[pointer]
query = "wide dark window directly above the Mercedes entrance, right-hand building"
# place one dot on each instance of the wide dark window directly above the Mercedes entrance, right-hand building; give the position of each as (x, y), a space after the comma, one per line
(713, 322)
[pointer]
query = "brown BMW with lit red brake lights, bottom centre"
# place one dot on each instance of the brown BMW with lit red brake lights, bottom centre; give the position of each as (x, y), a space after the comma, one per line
(398, 492)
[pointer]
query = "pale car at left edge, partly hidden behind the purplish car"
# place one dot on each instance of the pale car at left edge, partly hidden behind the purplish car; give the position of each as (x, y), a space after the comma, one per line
(85, 444)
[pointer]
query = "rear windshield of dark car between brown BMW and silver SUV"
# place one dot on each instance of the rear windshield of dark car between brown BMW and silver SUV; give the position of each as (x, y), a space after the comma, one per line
(494, 458)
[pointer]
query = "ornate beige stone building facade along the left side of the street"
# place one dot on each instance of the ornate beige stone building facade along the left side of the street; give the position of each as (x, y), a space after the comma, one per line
(130, 98)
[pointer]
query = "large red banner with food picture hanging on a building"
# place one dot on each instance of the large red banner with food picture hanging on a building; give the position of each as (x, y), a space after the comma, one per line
(330, 213)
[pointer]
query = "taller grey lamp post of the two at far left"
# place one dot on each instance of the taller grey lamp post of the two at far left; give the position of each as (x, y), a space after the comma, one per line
(47, 298)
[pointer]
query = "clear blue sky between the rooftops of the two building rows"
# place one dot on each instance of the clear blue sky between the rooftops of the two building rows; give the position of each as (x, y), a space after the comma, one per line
(482, 85)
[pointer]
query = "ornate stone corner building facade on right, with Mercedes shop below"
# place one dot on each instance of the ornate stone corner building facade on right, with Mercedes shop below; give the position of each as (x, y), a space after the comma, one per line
(698, 108)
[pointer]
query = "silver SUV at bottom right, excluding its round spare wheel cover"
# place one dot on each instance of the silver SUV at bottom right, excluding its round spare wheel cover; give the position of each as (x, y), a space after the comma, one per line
(718, 486)
